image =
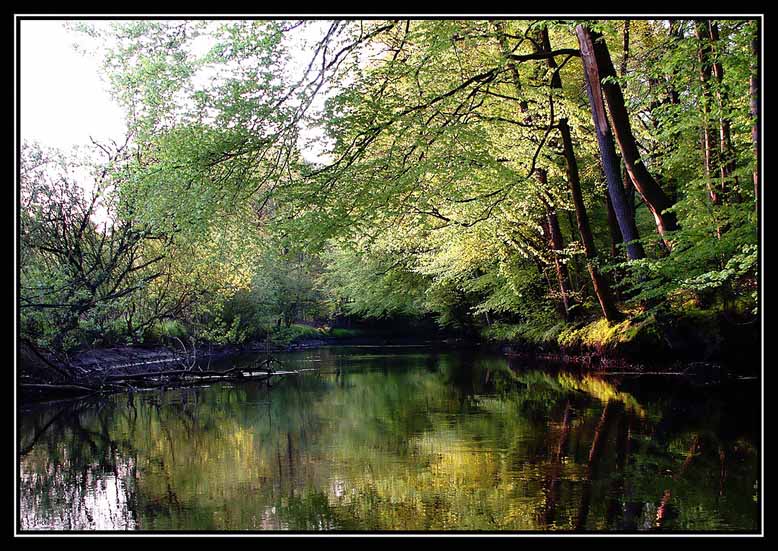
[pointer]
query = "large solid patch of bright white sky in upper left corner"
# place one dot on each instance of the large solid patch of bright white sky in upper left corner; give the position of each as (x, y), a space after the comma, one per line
(62, 99)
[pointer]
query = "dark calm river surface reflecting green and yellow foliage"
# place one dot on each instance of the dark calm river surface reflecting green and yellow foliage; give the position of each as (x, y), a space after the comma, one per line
(400, 438)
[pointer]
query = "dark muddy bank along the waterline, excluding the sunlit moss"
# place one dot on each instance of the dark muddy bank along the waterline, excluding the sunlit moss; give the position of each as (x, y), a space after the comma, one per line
(693, 351)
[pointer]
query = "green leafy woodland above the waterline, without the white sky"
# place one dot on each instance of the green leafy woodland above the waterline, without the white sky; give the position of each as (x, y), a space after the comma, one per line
(573, 184)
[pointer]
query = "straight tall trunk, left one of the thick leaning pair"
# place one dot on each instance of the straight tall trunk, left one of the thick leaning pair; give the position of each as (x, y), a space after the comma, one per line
(610, 163)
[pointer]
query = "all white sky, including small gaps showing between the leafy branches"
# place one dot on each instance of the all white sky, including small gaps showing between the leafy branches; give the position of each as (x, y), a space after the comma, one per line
(64, 99)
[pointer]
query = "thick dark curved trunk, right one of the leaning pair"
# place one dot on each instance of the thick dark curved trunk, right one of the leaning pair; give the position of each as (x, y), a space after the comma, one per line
(597, 66)
